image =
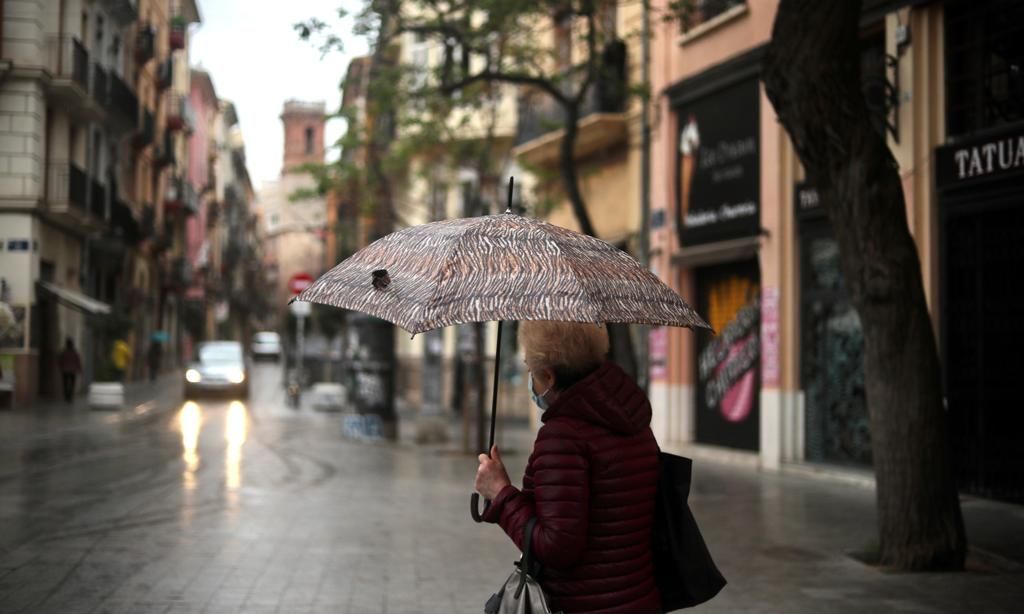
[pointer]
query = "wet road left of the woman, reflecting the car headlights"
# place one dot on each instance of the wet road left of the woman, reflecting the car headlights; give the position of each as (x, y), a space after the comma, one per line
(227, 507)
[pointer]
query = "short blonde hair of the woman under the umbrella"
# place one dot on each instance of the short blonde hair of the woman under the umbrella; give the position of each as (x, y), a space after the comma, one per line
(570, 349)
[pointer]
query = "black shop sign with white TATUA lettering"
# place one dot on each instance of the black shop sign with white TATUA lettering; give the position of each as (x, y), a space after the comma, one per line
(980, 160)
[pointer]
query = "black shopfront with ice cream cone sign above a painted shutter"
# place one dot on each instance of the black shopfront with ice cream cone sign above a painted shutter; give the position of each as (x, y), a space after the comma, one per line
(718, 221)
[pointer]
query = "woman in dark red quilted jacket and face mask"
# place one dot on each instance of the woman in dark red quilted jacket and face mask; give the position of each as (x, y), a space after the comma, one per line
(590, 480)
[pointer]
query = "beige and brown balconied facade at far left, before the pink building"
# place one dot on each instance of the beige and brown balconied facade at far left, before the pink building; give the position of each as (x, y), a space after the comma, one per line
(81, 173)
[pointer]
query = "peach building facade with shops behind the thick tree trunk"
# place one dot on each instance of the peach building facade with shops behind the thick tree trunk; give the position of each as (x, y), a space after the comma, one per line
(741, 235)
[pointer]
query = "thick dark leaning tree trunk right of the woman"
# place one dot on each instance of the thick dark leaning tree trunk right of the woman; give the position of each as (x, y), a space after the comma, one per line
(813, 78)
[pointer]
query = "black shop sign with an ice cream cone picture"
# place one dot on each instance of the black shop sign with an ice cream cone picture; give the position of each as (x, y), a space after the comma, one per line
(718, 165)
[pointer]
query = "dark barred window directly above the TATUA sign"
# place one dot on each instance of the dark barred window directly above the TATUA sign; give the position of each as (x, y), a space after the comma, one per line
(985, 65)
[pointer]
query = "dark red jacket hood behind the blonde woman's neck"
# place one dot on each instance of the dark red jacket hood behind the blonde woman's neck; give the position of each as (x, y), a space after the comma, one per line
(608, 398)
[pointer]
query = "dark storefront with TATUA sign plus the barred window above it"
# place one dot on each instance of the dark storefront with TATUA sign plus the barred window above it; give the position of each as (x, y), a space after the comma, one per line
(979, 178)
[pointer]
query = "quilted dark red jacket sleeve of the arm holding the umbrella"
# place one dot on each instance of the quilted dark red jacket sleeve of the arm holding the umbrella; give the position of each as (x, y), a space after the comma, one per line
(558, 492)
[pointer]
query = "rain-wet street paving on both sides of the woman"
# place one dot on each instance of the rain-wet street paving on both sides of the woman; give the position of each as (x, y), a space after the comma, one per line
(221, 506)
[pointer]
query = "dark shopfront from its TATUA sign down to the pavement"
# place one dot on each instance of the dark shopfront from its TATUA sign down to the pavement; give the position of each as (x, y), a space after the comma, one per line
(982, 199)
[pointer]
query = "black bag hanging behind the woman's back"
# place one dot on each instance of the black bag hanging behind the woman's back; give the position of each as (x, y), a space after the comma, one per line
(685, 572)
